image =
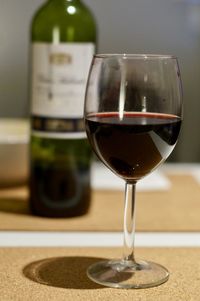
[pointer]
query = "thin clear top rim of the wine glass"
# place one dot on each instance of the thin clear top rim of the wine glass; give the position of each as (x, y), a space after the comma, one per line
(136, 56)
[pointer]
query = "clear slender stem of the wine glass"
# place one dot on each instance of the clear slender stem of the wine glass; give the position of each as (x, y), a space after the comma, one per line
(129, 222)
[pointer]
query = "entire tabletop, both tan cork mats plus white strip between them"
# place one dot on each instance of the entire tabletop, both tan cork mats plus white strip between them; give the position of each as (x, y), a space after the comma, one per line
(46, 259)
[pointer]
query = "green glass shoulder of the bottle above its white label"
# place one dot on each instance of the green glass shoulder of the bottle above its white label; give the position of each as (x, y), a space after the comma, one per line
(76, 24)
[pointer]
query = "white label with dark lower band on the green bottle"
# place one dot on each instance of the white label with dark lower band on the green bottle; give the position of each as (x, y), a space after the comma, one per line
(59, 76)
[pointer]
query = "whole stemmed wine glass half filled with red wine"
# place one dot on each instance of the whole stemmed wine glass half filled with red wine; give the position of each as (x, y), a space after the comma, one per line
(133, 114)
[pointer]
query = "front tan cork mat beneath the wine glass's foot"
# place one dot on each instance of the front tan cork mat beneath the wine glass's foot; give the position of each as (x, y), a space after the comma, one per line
(60, 274)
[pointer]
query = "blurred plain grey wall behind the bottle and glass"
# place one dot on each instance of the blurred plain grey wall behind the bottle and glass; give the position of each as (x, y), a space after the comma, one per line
(127, 26)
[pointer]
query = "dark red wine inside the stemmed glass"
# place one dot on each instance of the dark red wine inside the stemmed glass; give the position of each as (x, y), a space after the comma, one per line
(132, 146)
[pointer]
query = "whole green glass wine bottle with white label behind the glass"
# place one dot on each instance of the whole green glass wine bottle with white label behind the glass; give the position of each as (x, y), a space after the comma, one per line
(63, 34)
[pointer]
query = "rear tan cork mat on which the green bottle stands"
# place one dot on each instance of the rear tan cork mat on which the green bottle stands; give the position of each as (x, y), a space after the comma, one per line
(176, 208)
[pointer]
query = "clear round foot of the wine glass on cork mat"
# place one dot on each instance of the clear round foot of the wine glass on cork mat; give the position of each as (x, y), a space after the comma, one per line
(126, 274)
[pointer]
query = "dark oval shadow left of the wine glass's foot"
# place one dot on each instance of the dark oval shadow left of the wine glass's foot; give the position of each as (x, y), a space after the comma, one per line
(62, 272)
